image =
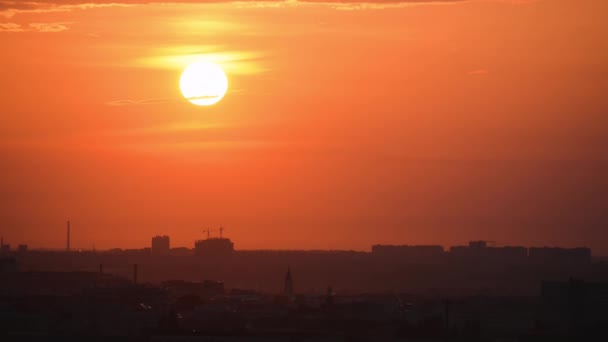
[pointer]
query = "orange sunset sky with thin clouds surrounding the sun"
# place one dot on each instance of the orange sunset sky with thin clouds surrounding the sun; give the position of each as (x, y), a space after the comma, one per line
(345, 124)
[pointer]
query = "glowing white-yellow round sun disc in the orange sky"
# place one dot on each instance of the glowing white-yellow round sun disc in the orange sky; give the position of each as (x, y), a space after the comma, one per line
(203, 83)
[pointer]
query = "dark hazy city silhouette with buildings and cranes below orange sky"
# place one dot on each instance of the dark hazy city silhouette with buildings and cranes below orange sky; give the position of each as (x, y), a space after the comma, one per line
(215, 292)
